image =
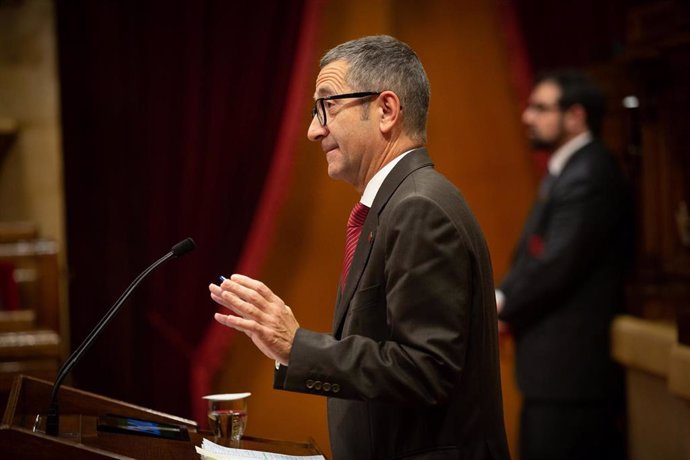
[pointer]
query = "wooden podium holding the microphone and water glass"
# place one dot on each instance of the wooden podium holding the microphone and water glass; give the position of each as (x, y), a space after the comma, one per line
(30, 396)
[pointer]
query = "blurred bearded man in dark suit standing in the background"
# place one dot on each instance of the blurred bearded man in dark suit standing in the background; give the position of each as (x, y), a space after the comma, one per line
(566, 280)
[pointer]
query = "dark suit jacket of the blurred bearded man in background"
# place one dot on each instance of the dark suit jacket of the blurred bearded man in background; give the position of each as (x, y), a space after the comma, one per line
(566, 281)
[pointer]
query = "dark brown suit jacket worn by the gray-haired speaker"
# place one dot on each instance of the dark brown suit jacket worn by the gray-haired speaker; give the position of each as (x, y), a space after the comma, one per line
(411, 370)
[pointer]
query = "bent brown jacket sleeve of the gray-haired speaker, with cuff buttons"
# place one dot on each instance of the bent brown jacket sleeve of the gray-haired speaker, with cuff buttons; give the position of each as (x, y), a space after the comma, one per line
(407, 334)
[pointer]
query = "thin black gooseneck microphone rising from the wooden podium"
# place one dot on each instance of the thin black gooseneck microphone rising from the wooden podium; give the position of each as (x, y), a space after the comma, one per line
(53, 419)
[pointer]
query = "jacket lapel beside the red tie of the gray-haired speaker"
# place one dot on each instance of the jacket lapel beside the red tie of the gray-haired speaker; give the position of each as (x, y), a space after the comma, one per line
(414, 160)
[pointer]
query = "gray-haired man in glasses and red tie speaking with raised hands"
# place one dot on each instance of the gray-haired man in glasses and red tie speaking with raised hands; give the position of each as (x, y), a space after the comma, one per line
(411, 369)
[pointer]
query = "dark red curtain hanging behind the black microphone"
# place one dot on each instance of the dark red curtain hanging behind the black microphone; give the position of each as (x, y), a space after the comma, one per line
(172, 113)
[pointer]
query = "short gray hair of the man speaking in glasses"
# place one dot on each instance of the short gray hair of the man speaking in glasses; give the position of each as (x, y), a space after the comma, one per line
(381, 63)
